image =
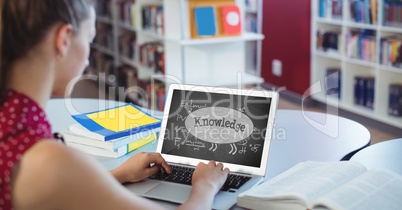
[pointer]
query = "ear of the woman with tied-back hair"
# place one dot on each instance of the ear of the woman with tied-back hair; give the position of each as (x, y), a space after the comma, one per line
(63, 39)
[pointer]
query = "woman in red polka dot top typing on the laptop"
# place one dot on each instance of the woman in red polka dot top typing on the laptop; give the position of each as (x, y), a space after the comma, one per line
(44, 45)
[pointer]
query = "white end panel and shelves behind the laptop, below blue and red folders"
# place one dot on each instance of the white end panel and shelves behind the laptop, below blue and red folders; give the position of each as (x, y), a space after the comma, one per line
(205, 61)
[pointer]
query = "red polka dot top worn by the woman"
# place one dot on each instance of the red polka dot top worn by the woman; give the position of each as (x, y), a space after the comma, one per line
(22, 124)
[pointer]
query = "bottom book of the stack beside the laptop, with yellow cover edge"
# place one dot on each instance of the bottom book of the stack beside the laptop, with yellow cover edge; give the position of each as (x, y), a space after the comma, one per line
(116, 153)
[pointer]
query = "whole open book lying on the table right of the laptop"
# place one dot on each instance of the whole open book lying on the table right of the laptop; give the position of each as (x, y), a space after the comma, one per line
(327, 185)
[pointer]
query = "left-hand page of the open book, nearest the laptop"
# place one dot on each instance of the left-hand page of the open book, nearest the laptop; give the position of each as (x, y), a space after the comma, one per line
(306, 181)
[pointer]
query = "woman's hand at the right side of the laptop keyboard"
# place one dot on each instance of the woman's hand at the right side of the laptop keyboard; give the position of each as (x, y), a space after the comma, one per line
(211, 174)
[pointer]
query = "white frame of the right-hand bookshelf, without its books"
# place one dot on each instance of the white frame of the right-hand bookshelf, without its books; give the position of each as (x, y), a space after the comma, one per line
(351, 67)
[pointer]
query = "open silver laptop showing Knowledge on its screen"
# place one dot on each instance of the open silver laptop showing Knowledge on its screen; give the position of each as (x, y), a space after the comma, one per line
(200, 124)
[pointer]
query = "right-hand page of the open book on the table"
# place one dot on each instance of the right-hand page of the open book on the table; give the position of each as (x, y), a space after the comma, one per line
(376, 189)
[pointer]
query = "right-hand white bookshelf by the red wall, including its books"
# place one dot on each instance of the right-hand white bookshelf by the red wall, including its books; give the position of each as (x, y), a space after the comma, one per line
(360, 28)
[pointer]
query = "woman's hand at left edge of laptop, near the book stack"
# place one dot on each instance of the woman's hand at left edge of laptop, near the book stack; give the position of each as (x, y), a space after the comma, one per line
(139, 167)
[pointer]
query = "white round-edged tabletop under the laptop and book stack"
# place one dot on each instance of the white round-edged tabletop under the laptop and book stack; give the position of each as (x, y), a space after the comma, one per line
(296, 137)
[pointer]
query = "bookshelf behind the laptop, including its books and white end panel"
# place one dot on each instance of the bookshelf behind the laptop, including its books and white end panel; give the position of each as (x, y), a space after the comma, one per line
(213, 61)
